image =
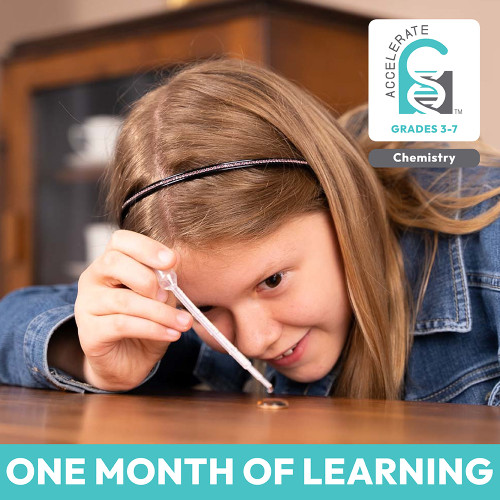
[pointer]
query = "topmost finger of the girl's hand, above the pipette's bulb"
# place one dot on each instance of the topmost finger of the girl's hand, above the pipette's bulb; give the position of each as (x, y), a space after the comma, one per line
(142, 249)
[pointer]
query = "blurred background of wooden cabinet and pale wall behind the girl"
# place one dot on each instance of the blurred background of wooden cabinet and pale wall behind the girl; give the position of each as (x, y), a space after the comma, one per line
(71, 69)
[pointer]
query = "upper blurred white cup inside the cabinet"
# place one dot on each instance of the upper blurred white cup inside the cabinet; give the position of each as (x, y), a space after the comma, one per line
(94, 140)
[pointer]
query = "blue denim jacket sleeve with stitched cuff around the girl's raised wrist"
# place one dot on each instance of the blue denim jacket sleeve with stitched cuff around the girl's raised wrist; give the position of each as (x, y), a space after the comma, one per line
(28, 318)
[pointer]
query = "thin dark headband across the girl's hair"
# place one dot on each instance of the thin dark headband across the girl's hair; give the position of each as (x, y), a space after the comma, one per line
(202, 172)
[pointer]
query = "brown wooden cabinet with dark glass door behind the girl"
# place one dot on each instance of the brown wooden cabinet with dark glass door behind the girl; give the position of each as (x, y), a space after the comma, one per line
(50, 83)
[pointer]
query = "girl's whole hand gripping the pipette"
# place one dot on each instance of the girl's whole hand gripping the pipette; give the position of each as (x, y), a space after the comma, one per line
(125, 320)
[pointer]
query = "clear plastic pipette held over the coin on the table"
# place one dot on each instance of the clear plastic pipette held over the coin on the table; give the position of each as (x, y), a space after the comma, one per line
(168, 281)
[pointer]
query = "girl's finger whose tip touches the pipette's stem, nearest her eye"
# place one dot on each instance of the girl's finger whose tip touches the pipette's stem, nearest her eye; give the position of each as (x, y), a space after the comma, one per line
(127, 302)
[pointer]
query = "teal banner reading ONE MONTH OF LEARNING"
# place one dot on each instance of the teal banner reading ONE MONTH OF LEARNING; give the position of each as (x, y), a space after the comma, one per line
(248, 471)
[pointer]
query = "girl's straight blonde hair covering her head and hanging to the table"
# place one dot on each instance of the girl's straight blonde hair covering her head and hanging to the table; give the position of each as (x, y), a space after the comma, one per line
(223, 110)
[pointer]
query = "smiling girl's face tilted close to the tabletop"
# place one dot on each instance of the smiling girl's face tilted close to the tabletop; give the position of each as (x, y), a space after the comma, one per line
(282, 299)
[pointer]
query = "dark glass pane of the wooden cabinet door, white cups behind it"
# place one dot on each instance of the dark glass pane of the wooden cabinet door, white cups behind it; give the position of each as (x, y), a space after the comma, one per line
(75, 130)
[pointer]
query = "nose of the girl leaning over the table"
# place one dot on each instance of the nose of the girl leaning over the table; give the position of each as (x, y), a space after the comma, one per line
(255, 331)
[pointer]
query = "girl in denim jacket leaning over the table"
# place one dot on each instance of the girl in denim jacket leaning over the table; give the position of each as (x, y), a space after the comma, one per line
(299, 251)
